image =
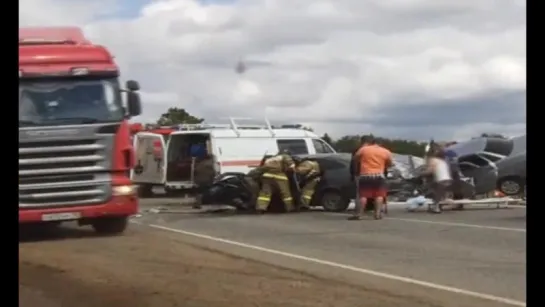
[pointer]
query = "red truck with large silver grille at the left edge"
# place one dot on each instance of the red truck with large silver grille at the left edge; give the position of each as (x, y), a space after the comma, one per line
(75, 153)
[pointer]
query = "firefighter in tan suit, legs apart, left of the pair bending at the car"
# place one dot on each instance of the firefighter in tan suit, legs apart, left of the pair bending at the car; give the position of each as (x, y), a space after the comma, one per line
(275, 179)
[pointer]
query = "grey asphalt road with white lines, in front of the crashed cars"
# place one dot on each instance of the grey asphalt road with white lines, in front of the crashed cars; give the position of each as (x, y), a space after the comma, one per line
(480, 251)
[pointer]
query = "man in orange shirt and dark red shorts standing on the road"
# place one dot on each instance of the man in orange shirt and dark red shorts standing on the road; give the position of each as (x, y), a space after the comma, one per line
(371, 160)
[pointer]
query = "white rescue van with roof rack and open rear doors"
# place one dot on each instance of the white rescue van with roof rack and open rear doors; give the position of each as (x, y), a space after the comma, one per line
(166, 159)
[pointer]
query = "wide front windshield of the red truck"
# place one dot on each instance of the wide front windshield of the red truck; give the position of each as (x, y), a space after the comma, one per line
(69, 101)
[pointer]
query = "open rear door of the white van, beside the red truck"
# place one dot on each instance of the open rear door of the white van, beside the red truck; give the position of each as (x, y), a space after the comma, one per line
(150, 159)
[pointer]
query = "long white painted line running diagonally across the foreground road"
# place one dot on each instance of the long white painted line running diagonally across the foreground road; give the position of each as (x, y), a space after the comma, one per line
(345, 267)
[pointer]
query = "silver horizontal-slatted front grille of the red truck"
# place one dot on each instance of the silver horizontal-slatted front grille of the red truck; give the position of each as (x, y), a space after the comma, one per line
(63, 173)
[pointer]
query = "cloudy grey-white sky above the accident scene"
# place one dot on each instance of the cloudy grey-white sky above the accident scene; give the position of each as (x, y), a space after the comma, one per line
(398, 68)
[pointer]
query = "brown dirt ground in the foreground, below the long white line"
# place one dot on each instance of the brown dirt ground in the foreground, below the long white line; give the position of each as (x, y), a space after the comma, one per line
(155, 269)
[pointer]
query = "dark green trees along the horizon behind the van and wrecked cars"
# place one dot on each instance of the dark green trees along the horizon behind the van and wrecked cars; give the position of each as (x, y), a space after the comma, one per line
(347, 143)
